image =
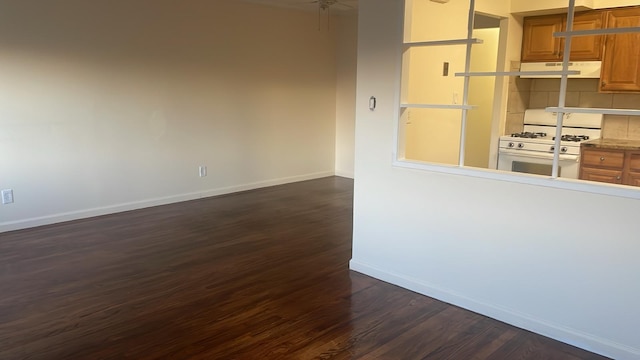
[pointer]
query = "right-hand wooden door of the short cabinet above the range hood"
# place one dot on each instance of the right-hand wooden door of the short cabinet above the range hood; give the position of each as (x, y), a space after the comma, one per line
(587, 47)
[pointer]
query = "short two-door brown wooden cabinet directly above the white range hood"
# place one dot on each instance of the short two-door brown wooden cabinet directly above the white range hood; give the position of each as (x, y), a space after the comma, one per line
(539, 44)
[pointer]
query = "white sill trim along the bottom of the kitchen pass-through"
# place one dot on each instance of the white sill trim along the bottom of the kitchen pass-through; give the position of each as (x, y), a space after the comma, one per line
(529, 179)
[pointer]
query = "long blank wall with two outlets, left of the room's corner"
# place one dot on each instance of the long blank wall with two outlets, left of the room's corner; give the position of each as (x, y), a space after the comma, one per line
(112, 106)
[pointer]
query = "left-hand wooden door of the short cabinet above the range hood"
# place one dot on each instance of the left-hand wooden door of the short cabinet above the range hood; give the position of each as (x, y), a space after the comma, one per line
(539, 44)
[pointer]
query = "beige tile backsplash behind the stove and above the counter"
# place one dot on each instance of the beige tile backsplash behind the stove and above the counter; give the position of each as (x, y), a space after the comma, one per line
(542, 93)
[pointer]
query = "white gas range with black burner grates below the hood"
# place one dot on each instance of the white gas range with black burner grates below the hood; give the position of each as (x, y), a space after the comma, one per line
(531, 151)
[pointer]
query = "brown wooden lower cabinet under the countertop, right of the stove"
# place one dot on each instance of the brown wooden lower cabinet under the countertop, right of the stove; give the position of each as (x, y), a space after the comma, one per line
(610, 166)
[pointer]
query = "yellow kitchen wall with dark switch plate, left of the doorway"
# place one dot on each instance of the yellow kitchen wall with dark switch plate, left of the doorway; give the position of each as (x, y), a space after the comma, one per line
(433, 135)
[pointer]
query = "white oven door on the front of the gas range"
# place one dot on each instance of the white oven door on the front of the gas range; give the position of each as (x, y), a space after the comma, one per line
(539, 163)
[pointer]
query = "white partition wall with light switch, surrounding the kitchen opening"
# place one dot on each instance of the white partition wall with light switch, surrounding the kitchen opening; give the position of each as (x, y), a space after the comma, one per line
(470, 242)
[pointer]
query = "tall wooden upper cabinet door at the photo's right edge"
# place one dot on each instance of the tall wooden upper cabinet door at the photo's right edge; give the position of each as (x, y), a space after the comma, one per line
(621, 57)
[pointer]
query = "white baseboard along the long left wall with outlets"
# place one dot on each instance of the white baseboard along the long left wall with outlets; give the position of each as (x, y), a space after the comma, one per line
(134, 205)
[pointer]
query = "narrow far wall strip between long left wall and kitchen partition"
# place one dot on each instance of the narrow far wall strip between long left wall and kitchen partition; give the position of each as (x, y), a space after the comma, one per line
(346, 43)
